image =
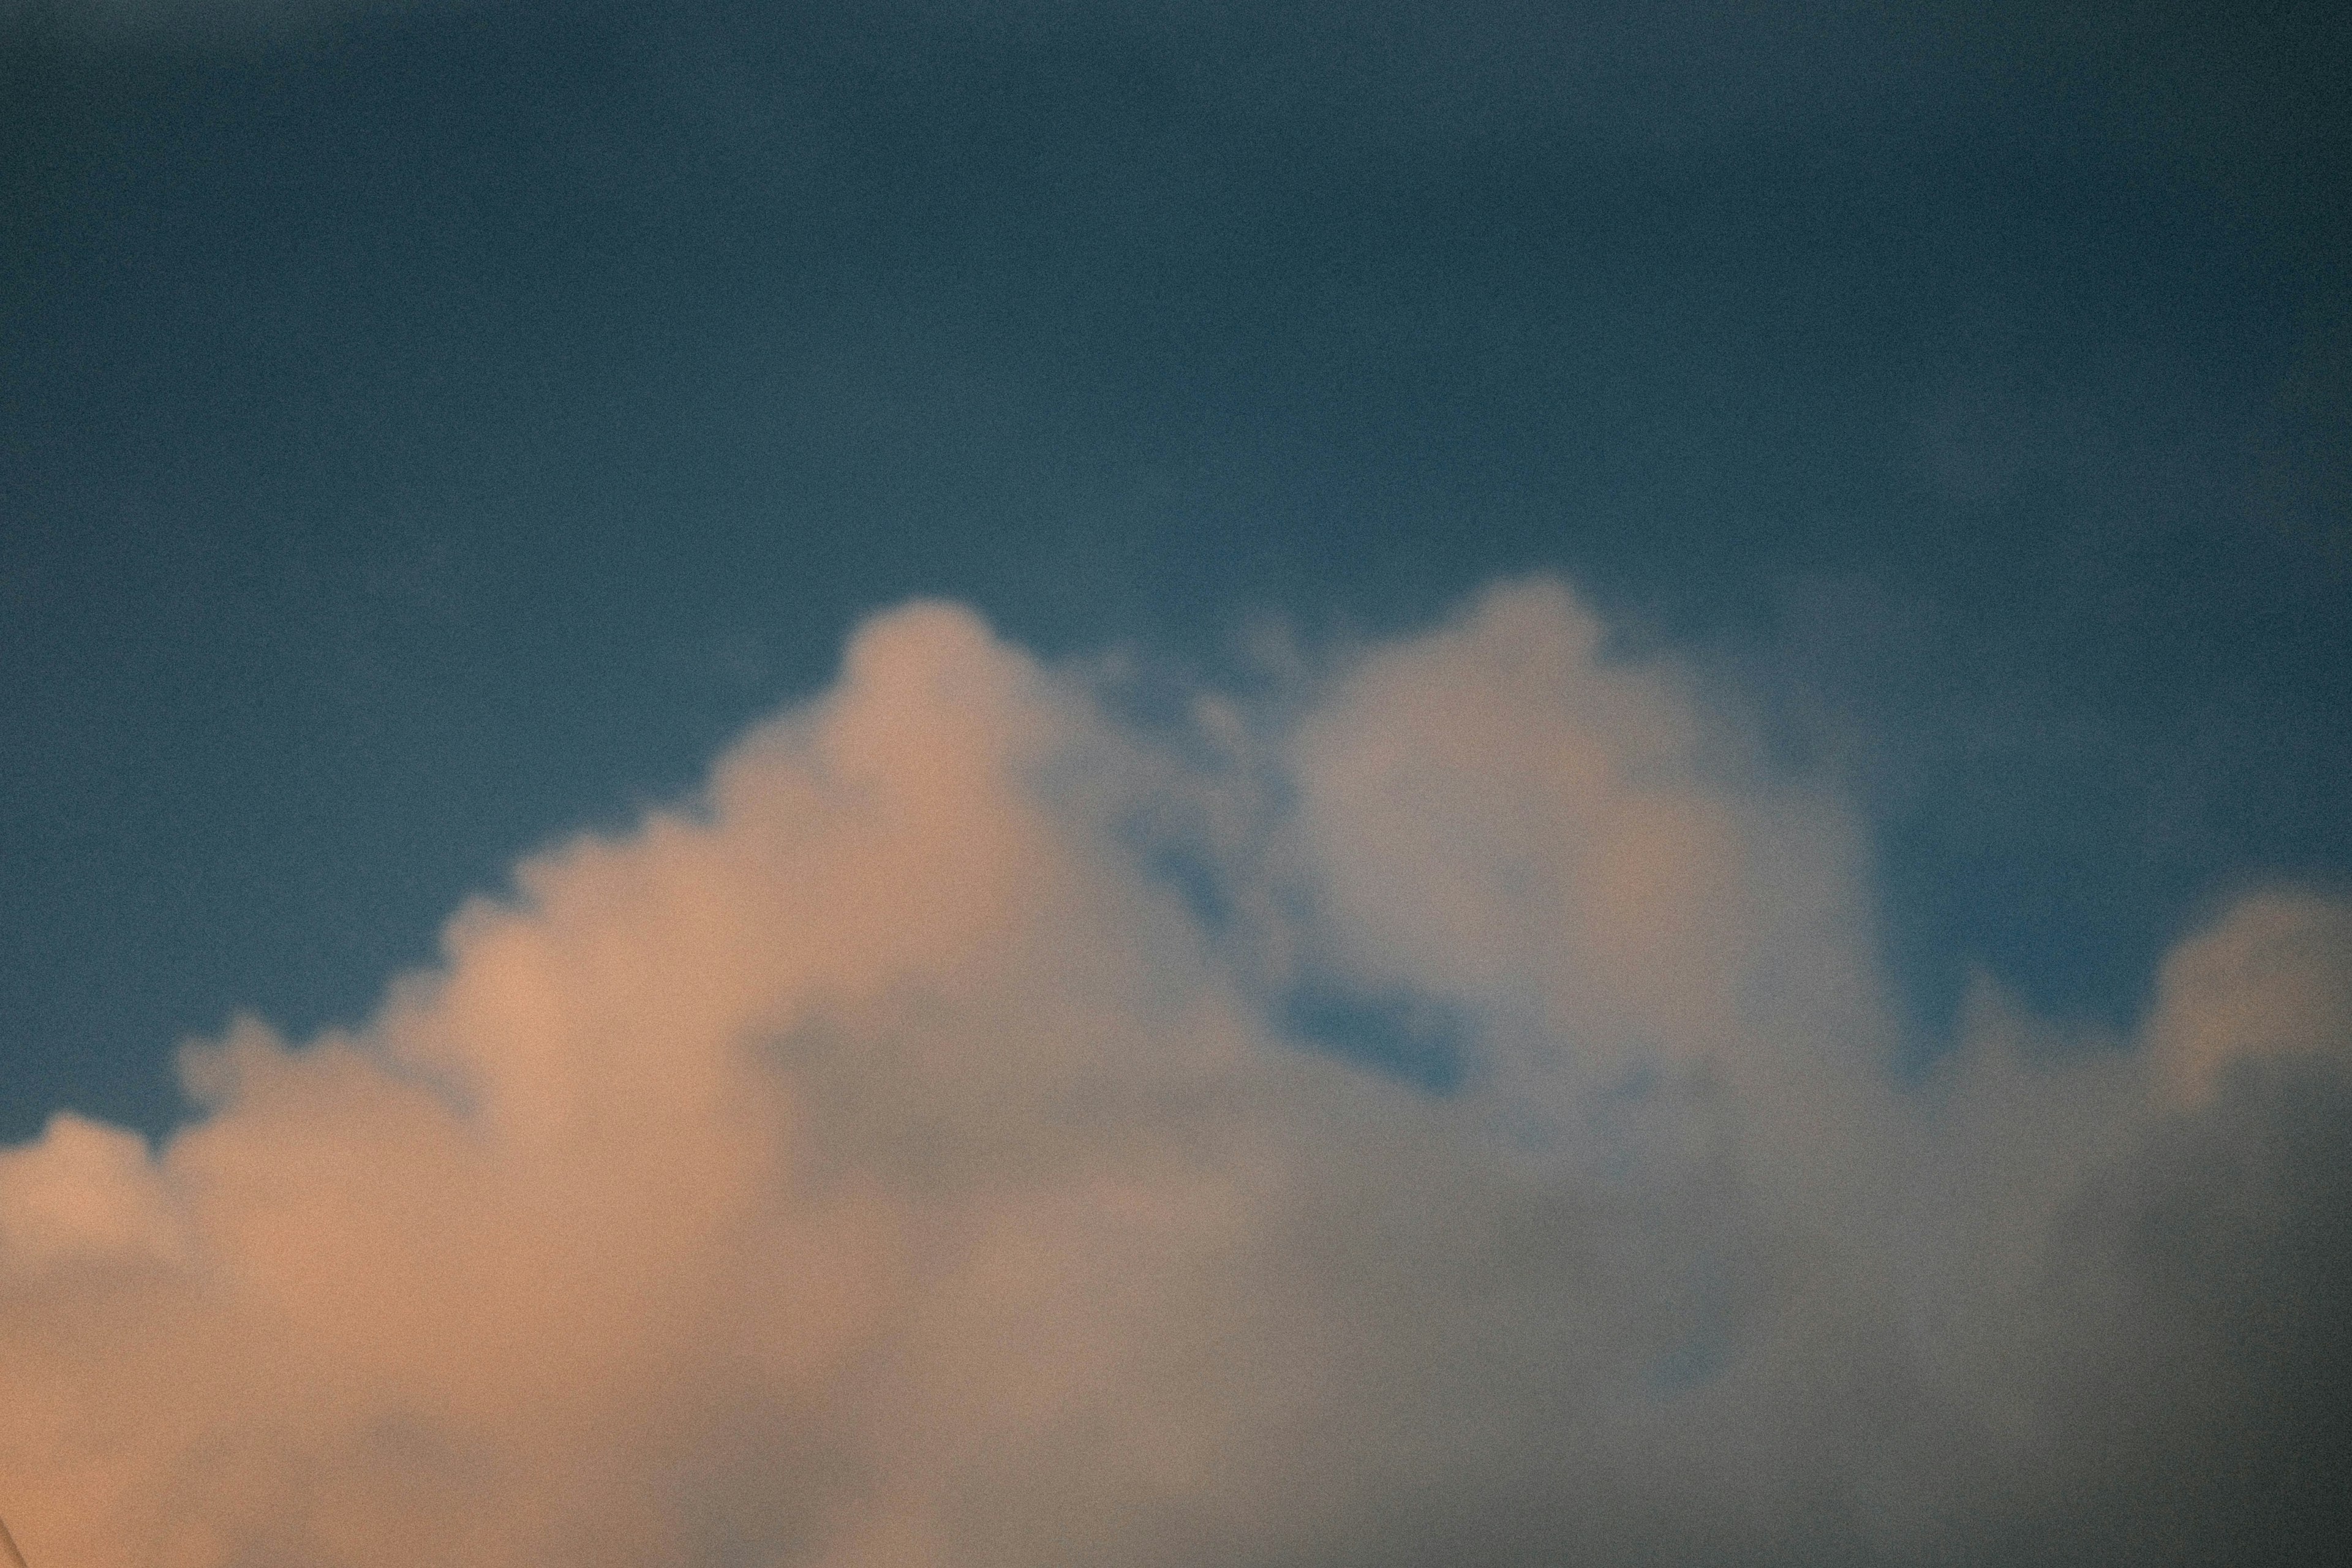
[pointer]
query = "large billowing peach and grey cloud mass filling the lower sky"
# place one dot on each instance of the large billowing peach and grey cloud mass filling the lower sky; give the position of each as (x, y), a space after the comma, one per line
(994, 1130)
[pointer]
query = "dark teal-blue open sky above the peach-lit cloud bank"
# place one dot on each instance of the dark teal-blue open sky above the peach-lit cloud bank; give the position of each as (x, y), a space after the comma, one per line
(434, 429)
